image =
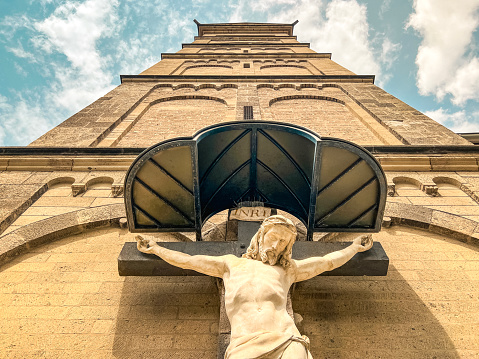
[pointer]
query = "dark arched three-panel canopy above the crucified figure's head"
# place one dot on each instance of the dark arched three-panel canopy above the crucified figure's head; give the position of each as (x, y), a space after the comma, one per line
(331, 185)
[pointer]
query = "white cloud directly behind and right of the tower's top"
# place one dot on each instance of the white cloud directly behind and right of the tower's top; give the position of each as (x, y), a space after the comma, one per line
(339, 27)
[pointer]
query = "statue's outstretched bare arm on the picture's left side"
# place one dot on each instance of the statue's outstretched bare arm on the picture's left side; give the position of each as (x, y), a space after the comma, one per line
(209, 265)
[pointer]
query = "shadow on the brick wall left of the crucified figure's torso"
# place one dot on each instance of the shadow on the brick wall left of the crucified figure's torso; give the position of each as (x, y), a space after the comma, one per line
(167, 317)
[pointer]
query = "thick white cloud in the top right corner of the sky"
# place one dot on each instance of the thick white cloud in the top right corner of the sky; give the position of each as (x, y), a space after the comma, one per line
(446, 50)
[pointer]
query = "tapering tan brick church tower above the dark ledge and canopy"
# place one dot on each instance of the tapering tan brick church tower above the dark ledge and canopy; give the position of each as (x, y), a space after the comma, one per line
(246, 71)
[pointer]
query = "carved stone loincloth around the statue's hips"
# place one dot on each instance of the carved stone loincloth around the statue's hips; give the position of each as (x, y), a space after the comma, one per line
(266, 345)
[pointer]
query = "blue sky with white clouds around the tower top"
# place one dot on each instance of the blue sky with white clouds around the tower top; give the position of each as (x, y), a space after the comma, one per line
(58, 56)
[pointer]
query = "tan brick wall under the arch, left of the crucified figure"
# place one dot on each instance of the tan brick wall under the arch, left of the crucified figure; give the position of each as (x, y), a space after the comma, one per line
(66, 300)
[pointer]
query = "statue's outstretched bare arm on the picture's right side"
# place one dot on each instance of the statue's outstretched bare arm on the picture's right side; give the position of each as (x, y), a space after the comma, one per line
(311, 267)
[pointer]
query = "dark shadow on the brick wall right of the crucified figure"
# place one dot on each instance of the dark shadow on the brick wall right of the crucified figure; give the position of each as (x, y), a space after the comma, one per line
(370, 317)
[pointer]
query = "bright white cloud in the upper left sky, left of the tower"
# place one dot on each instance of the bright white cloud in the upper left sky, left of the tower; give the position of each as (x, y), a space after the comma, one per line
(74, 30)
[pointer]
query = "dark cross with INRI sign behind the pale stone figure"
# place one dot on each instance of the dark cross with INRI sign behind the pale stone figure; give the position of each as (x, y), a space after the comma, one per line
(131, 262)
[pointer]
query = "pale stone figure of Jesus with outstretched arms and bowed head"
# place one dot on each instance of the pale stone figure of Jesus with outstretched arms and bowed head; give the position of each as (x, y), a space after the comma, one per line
(257, 285)
